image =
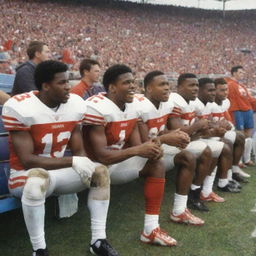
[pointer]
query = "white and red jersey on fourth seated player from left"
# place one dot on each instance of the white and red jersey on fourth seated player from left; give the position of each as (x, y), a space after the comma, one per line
(182, 109)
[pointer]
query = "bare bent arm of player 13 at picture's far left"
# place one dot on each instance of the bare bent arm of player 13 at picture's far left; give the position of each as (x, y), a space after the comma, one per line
(24, 148)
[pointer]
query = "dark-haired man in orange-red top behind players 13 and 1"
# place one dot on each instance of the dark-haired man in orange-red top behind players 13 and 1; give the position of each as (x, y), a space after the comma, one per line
(90, 73)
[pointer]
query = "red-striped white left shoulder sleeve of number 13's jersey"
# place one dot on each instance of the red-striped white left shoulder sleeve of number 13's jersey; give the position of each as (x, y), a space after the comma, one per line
(12, 119)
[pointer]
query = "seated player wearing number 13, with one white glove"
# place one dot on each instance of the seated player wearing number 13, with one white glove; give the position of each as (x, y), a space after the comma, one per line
(41, 125)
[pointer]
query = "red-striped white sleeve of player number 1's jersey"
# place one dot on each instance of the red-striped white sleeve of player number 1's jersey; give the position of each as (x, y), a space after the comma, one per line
(93, 116)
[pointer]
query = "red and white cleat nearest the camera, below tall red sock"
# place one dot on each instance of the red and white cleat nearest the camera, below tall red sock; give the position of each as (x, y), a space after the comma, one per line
(158, 237)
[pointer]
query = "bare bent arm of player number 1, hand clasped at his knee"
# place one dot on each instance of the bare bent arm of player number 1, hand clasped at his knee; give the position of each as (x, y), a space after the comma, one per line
(107, 156)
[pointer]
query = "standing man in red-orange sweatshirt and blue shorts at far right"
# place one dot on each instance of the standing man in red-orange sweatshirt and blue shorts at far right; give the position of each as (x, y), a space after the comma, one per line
(241, 108)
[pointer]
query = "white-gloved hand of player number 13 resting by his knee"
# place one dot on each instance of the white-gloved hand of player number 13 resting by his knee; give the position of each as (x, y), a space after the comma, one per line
(84, 167)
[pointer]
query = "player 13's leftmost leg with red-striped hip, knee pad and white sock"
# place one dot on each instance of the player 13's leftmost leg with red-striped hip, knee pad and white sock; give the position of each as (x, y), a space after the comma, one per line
(32, 186)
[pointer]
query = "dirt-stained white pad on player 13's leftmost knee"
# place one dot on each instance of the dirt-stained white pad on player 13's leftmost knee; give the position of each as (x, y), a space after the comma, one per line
(37, 184)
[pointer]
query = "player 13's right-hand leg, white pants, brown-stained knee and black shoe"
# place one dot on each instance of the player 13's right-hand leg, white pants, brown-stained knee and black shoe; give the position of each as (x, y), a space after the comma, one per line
(68, 181)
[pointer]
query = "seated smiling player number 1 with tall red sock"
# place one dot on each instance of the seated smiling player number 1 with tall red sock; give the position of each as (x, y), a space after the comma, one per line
(110, 123)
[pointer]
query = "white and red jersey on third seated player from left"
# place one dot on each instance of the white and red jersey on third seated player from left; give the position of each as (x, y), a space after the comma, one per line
(154, 118)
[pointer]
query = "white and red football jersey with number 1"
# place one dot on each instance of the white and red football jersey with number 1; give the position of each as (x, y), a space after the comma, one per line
(118, 124)
